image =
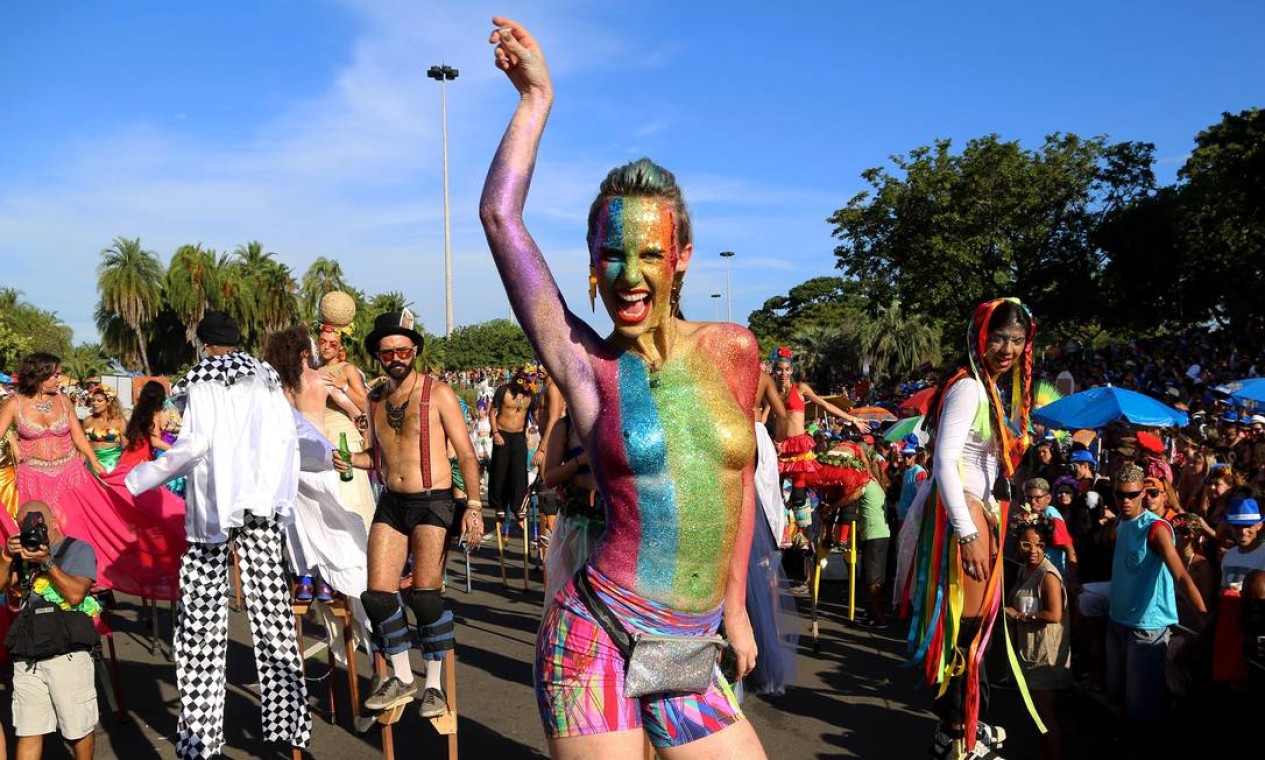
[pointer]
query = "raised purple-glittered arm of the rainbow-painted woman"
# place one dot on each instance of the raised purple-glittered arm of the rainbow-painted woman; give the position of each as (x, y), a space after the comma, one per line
(560, 338)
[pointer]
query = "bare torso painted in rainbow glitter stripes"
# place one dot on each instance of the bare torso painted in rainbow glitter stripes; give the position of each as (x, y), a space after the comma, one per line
(669, 452)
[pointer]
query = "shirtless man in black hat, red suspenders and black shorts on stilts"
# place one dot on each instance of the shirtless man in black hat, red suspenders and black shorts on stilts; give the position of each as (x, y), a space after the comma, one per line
(413, 422)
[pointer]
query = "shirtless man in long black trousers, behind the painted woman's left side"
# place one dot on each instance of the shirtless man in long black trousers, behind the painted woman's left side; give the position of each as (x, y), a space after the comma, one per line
(508, 482)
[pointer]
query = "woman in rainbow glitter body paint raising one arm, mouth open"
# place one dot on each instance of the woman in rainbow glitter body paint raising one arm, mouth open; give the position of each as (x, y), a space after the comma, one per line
(663, 408)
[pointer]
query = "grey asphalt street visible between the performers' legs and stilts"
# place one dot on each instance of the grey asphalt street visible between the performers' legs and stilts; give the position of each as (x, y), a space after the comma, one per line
(853, 700)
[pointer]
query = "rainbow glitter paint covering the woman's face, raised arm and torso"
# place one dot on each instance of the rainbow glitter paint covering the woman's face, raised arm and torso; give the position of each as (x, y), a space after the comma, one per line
(671, 450)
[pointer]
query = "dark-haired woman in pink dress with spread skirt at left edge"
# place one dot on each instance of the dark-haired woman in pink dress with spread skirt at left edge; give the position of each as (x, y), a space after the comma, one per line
(137, 543)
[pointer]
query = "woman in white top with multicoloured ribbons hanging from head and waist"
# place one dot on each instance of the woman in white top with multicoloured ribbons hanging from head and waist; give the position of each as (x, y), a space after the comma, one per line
(954, 586)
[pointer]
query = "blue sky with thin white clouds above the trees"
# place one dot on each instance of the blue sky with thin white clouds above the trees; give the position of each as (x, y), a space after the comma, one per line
(312, 127)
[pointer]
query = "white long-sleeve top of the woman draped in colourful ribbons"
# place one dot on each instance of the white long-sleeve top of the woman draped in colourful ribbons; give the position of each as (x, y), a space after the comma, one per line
(966, 460)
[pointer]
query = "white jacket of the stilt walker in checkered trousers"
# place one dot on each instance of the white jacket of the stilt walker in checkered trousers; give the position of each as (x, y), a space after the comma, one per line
(238, 448)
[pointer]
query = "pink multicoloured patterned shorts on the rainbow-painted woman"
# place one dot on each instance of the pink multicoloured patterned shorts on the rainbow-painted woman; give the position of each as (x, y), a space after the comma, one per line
(580, 672)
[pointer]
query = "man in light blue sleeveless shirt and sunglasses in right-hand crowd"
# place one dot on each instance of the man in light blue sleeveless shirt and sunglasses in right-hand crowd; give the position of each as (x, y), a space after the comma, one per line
(1147, 571)
